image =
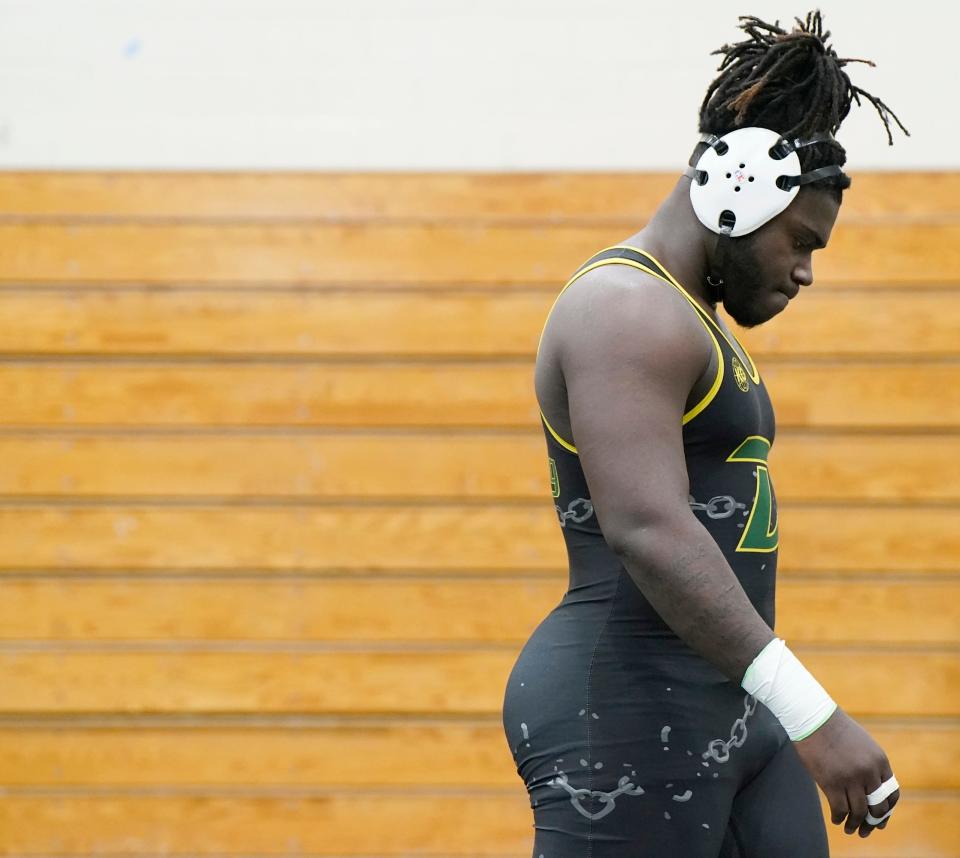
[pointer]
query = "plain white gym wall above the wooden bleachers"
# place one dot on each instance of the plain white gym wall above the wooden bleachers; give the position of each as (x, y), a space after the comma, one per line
(427, 84)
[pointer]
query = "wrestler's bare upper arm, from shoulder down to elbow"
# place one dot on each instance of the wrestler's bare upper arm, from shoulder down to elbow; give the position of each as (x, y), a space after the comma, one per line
(628, 379)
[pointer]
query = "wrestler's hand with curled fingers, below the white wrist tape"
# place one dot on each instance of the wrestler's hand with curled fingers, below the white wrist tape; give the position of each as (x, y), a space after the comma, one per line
(848, 765)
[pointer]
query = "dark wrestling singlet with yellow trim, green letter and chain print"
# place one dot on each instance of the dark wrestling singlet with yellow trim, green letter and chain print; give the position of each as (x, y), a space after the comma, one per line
(630, 743)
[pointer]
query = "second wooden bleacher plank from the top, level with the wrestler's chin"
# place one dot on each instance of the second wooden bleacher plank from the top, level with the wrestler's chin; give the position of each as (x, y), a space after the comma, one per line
(345, 253)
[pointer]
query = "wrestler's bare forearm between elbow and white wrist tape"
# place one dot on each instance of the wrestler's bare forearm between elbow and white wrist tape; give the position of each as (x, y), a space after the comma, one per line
(684, 575)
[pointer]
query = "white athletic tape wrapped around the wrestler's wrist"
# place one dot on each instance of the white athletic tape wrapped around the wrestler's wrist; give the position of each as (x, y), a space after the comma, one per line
(778, 680)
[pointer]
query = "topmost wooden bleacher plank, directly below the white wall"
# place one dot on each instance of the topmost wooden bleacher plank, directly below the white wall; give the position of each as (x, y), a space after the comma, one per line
(605, 196)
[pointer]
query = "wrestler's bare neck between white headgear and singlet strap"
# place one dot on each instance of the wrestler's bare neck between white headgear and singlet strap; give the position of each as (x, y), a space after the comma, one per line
(677, 238)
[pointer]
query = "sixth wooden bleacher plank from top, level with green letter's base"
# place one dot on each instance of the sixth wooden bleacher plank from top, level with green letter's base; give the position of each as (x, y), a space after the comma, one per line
(447, 538)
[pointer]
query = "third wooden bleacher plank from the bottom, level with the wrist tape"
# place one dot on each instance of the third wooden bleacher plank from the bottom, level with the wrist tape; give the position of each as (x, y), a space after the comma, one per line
(391, 680)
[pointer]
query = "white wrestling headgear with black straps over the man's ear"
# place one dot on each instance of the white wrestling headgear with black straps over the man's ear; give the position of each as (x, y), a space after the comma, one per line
(747, 177)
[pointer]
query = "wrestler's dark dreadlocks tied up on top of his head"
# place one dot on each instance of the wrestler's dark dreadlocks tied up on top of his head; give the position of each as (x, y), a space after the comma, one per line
(792, 83)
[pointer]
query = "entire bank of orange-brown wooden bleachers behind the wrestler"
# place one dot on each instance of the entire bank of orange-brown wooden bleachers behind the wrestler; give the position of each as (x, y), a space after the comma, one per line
(256, 596)
